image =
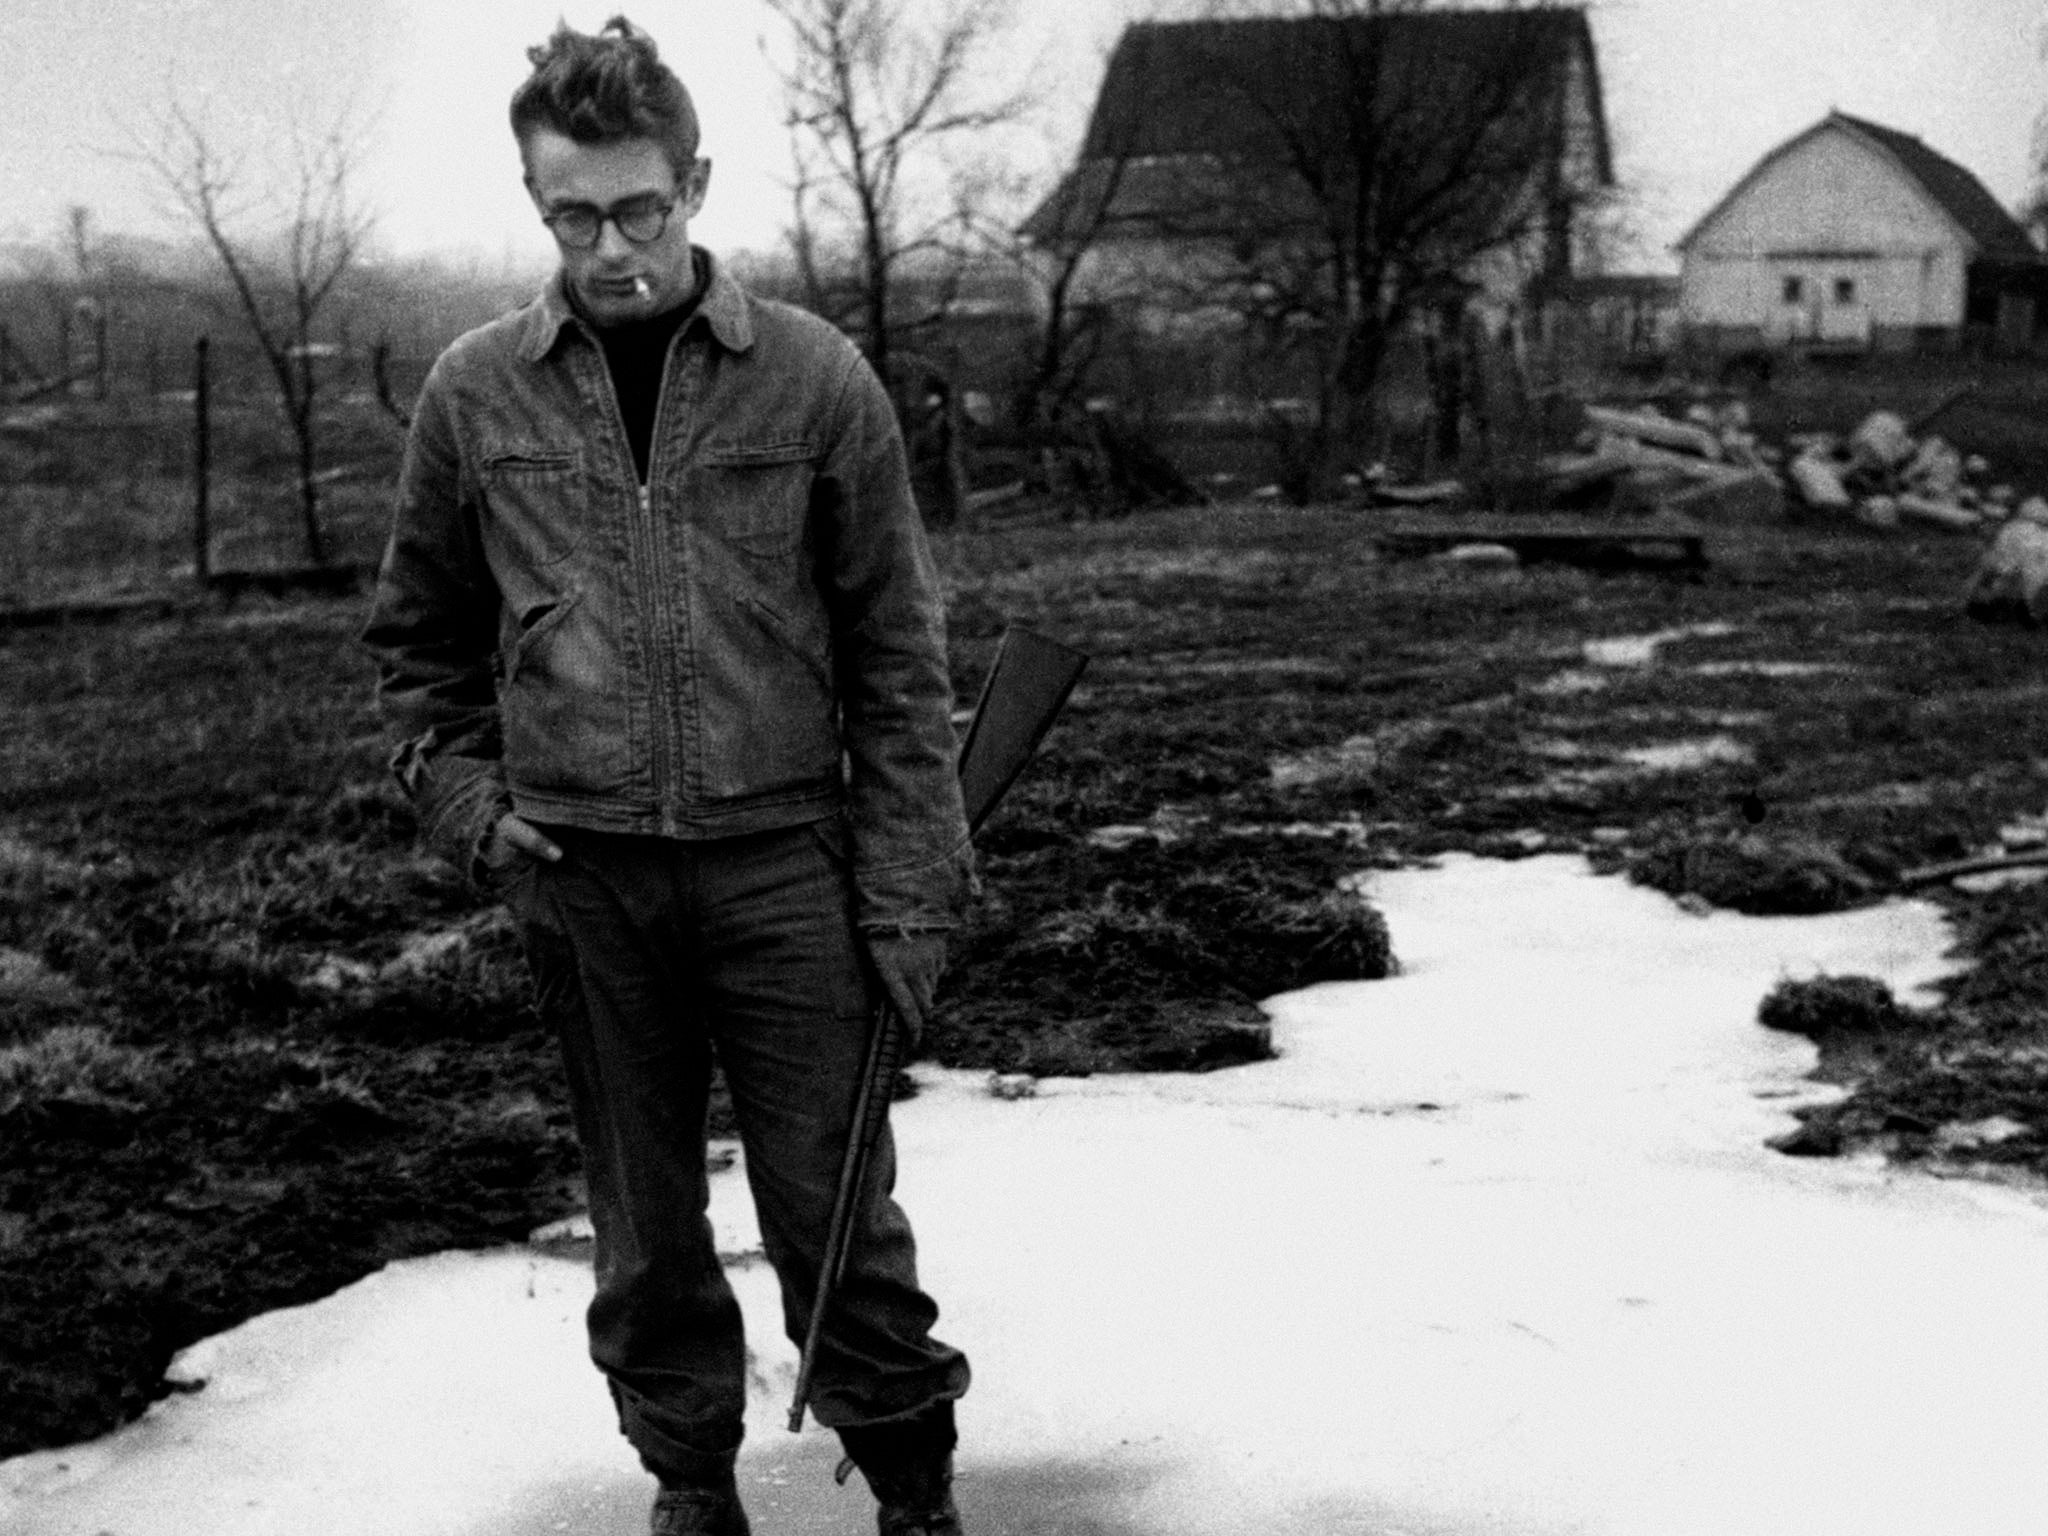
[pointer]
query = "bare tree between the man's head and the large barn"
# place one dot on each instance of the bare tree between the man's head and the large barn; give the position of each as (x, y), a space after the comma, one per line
(876, 93)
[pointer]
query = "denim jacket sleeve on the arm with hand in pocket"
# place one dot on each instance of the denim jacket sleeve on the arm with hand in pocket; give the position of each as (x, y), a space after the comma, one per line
(435, 632)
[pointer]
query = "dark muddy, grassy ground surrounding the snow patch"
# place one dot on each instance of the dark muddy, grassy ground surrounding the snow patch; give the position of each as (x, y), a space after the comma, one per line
(253, 1048)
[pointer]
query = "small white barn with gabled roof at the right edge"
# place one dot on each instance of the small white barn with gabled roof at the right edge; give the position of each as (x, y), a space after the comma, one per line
(1859, 237)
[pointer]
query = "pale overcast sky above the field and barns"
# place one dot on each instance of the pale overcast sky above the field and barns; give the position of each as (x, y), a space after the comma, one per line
(1697, 91)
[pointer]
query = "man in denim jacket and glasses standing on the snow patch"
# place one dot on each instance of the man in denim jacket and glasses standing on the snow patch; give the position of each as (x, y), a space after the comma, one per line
(663, 640)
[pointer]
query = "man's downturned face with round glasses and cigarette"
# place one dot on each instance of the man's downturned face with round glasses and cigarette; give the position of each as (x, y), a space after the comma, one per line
(617, 280)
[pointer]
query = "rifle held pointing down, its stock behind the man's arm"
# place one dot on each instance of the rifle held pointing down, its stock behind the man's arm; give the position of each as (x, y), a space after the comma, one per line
(1021, 697)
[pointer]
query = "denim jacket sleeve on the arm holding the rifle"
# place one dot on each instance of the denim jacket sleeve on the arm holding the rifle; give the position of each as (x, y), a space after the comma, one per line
(912, 861)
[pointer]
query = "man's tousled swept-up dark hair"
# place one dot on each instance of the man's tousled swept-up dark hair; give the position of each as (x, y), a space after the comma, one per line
(605, 89)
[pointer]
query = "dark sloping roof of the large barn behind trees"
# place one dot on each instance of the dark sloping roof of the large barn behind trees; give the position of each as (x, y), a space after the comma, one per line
(1160, 116)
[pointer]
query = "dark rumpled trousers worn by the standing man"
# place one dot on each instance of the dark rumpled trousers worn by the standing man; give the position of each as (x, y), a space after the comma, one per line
(652, 957)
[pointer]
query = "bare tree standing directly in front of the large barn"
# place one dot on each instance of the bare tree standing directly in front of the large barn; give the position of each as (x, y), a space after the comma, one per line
(1355, 165)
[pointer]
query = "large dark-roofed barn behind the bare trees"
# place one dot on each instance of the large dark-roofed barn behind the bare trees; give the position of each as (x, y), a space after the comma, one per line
(1482, 138)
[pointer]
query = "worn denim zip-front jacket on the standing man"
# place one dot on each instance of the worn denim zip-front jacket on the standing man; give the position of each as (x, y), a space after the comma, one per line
(753, 640)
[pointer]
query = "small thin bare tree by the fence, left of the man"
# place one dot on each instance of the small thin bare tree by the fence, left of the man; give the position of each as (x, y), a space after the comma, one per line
(286, 271)
